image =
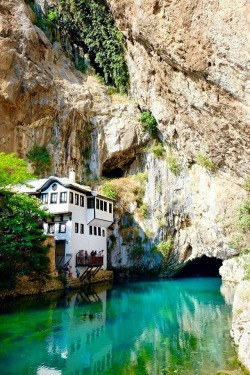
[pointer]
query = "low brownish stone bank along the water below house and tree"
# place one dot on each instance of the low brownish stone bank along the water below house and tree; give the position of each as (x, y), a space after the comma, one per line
(25, 286)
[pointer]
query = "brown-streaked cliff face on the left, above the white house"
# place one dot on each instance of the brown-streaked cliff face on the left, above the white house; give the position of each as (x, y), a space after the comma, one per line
(45, 100)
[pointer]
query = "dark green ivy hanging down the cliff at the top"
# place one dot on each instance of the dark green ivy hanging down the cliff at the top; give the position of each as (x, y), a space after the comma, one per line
(91, 26)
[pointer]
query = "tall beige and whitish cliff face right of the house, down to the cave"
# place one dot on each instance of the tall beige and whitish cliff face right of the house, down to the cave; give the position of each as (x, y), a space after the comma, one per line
(189, 65)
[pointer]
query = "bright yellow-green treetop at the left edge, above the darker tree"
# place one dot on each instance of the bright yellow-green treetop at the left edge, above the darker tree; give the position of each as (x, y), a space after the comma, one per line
(13, 170)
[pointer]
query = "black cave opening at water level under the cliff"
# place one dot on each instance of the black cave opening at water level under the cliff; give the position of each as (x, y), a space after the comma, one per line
(201, 267)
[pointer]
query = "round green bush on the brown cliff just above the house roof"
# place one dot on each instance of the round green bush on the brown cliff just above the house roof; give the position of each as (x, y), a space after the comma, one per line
(39, 158)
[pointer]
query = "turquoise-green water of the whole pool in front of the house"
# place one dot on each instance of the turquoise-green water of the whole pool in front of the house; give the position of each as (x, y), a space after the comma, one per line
(146, 327)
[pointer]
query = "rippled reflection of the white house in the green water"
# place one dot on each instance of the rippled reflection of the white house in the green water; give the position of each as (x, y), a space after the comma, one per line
(79, 336)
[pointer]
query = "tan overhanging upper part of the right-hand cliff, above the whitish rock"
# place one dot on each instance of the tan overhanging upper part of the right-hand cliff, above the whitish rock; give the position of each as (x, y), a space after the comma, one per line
(189, 64)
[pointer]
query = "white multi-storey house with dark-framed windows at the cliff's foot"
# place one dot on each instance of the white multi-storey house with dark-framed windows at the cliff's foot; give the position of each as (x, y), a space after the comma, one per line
(80, 222)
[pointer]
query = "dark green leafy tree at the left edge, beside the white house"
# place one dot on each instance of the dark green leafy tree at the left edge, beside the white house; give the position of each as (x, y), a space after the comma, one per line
(21, 236)
